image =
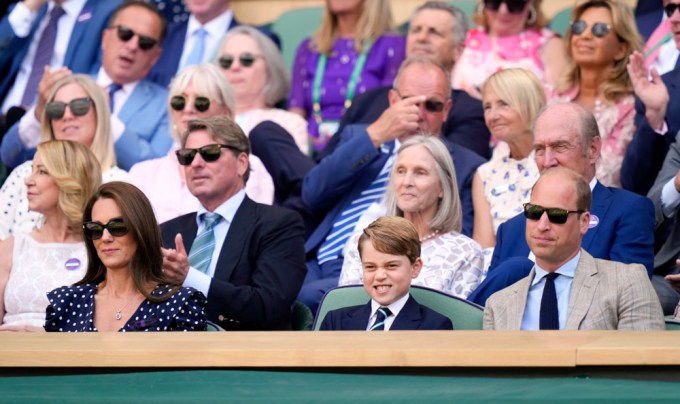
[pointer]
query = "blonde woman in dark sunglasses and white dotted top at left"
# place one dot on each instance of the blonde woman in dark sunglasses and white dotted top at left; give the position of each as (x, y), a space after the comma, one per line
(76, 110)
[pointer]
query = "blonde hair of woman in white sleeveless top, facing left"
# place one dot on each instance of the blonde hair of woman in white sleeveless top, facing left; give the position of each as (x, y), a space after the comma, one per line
(77, 173)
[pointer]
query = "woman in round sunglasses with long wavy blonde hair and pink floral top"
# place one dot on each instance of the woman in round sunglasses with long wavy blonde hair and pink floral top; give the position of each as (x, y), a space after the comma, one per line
(601, 39)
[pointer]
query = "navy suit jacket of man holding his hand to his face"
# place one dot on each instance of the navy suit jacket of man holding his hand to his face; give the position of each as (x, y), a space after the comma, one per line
(339, 178)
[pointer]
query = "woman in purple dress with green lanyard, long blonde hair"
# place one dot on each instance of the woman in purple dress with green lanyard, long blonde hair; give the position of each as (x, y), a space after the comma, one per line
(353, 51)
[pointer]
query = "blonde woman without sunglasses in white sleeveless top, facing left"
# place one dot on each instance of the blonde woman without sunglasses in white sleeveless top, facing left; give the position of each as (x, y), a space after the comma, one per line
(64, 175)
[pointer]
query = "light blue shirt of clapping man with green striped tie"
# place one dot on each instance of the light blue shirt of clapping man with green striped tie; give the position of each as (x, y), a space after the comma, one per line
(195, 278)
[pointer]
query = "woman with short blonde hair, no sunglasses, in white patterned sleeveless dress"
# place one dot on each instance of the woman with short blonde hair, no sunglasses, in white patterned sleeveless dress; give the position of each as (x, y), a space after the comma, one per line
(511, 100)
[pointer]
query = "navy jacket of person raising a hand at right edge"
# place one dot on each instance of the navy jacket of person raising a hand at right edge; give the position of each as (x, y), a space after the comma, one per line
(647, 150)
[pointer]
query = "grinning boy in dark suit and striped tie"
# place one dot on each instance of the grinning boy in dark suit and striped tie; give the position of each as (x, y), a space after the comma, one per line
(390, 255)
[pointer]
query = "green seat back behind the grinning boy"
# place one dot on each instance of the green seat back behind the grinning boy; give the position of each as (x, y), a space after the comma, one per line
(463, 314)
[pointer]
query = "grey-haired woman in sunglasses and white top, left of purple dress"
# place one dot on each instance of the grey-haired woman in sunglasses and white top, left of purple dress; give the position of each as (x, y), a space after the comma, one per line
(254, 67)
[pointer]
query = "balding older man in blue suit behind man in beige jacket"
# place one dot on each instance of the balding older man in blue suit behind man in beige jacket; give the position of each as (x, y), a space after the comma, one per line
(621, 224)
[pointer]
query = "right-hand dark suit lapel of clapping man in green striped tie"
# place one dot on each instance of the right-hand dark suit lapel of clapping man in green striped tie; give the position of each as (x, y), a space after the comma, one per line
(235, 243)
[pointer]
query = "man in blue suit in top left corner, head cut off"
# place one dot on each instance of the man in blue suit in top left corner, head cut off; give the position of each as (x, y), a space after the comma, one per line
(76, 45)
